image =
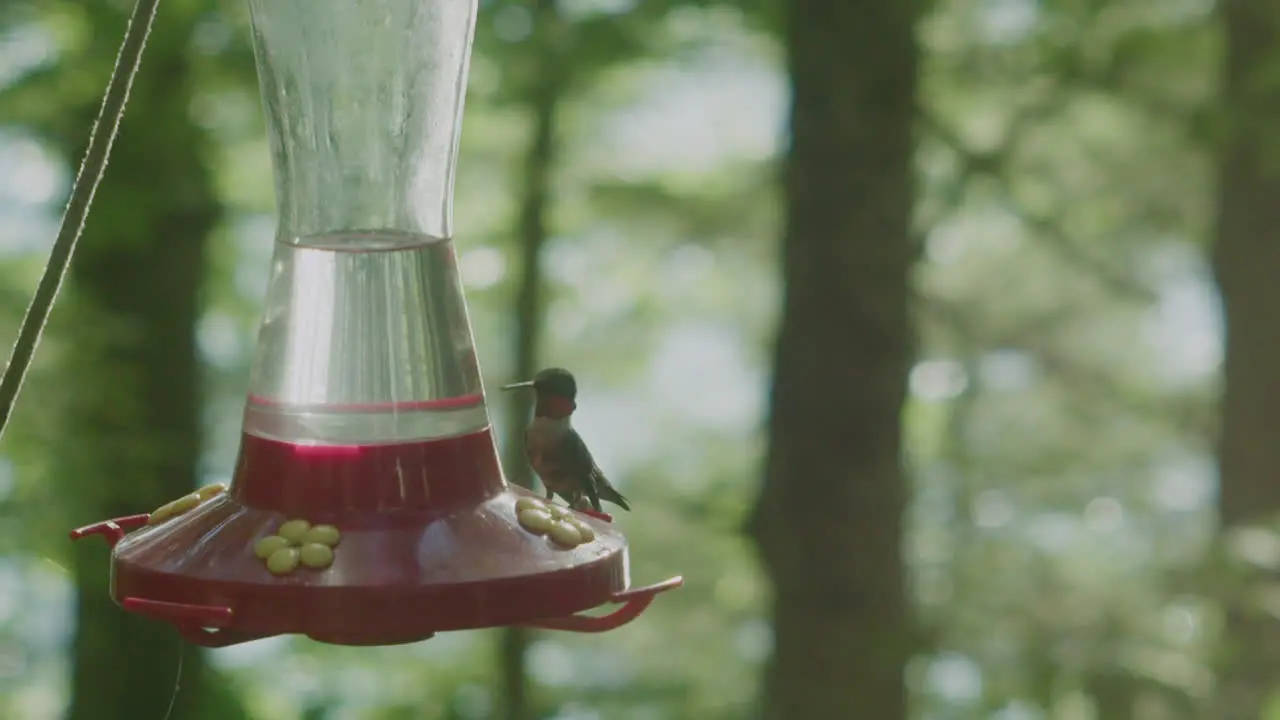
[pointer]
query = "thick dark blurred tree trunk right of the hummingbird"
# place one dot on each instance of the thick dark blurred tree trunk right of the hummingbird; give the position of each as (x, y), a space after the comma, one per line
(829, 521)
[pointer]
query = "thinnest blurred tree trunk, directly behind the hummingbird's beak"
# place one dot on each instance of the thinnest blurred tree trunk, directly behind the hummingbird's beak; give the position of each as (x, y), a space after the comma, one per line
(543, 98)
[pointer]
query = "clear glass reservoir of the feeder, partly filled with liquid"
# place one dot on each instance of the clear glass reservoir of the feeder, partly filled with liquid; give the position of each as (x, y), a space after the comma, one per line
(365, 336)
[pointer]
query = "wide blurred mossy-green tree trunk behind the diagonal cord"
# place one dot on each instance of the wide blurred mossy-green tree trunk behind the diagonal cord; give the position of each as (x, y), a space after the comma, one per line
(131, 432)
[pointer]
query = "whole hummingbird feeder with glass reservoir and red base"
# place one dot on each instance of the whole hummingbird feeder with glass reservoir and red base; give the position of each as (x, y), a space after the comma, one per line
(368, 504)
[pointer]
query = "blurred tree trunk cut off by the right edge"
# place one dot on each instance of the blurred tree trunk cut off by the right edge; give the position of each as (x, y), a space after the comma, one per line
(1247, 263)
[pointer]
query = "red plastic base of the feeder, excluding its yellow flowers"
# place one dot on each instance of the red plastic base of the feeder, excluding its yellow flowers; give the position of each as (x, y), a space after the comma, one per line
(431, 543)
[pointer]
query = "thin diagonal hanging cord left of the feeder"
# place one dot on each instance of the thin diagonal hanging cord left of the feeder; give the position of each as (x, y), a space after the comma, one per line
(88, 180)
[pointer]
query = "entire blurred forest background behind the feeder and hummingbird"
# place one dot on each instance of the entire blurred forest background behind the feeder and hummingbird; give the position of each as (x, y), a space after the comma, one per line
(904, 326)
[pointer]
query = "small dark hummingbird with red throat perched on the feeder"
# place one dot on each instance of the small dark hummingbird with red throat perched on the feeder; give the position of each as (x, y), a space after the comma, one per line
(556, 452)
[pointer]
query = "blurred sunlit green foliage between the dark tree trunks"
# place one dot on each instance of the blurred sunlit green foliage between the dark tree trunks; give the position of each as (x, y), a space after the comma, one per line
(1062, 517)
